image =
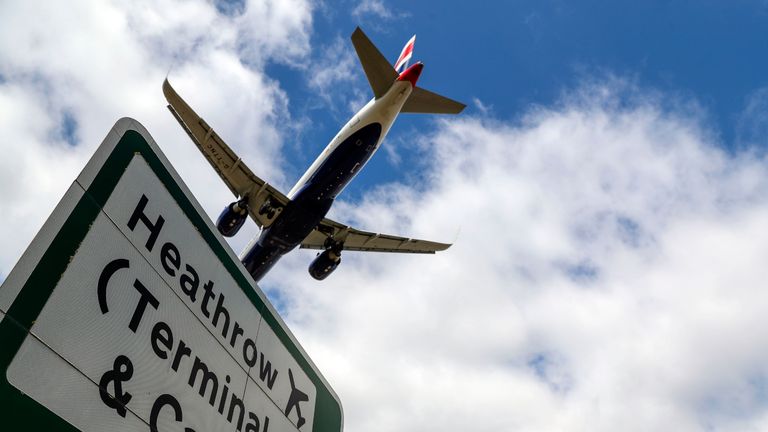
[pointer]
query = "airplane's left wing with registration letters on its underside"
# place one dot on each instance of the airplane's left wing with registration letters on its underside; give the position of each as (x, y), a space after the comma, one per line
(236, 175)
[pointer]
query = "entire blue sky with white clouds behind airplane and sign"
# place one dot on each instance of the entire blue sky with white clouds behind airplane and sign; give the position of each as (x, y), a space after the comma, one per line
(606, 191)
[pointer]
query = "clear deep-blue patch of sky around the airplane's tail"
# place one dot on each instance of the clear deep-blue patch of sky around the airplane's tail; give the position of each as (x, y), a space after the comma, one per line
(510, 56)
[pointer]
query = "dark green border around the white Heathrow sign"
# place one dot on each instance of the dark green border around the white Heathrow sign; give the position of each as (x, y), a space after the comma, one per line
(24, 413)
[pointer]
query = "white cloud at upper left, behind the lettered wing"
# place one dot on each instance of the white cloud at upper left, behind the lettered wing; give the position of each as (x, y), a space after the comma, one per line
(71, 70)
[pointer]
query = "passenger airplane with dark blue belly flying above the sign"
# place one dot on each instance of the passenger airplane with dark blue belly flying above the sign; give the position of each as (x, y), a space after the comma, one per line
(298, 218)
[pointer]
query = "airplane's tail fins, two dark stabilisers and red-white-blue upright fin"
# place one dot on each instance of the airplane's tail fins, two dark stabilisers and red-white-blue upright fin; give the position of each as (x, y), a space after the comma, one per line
(381, 75)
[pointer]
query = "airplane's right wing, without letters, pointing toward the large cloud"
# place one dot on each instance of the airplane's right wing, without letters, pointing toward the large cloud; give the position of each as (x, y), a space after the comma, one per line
(356, 240)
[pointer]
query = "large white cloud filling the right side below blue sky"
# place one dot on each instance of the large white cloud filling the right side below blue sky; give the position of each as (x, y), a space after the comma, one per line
(610, 274)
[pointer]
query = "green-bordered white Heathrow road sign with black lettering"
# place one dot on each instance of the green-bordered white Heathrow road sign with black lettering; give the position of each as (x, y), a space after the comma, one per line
(129, 312)
